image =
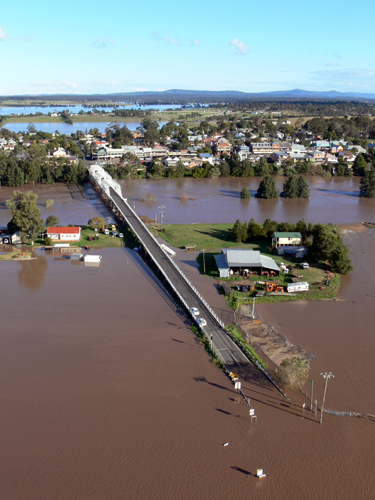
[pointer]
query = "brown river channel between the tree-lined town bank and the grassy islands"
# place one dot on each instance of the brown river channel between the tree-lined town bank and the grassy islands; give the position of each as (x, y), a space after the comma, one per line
(216, 200)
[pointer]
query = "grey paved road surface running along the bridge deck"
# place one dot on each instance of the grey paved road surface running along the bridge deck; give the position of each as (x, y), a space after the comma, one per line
(229, 352)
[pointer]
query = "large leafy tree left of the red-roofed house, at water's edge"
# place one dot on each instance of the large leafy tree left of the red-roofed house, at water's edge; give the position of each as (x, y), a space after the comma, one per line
(26, 215)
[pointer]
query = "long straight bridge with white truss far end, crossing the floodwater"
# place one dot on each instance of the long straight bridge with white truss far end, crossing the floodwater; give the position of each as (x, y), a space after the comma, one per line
(225, 348)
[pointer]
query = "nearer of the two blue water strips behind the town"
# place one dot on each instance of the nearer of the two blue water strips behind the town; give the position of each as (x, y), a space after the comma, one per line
(65, 128)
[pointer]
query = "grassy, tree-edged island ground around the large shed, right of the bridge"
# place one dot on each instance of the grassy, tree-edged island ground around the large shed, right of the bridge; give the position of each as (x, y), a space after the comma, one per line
(322, 274)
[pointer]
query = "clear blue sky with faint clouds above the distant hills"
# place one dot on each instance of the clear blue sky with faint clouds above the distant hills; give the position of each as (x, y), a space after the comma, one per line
(120, 46)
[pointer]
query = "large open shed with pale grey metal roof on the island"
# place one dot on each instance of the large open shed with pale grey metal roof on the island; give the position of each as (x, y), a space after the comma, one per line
(237, 260)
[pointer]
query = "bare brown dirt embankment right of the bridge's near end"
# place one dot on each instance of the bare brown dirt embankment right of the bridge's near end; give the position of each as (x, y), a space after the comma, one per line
(274, 345)
